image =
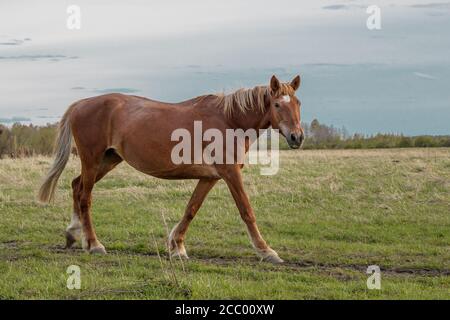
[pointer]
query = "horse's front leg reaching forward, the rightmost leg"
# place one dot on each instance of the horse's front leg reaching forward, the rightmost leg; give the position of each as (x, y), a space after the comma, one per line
(232, 176)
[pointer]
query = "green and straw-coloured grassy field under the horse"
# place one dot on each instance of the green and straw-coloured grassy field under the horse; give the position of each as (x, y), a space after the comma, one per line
(329, 215)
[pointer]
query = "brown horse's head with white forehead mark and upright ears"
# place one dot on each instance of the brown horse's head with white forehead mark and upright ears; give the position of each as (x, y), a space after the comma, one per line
(285, 111)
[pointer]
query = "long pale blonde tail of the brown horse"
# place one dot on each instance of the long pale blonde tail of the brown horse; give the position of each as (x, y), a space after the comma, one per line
(62, 152)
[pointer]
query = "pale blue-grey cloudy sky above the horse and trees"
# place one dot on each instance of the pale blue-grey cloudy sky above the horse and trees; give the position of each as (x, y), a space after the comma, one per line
(392, 80)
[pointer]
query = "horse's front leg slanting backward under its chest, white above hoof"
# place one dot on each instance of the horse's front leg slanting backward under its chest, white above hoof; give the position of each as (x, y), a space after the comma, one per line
(176, 237)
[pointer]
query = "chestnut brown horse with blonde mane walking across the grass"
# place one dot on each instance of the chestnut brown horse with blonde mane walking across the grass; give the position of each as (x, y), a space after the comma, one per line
(111, 128)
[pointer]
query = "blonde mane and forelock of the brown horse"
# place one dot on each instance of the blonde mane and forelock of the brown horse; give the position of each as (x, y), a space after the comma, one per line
(250, 99)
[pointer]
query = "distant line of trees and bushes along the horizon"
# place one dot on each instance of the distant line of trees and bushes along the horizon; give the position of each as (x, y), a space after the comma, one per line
(28, 140)
